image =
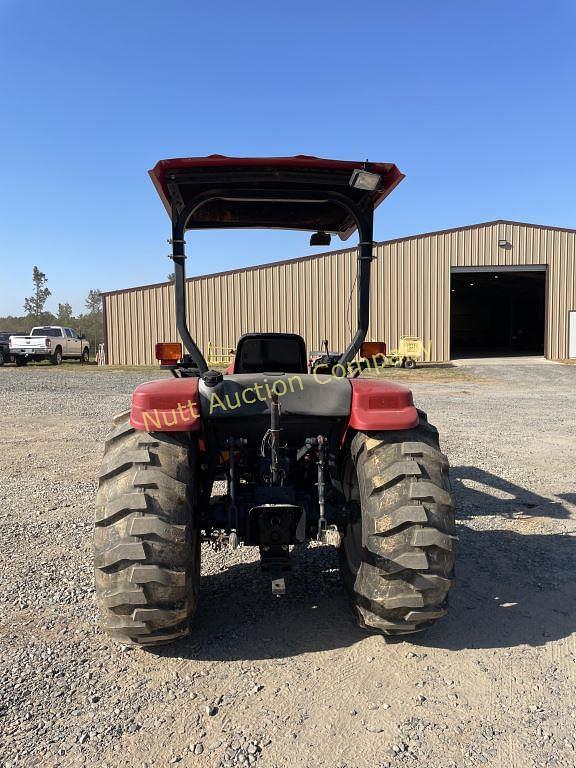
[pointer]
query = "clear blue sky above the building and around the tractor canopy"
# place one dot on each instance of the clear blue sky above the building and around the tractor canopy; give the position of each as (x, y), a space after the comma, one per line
(474, 101)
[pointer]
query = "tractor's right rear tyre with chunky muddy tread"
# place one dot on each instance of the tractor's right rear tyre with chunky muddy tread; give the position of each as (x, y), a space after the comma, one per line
(397, 555)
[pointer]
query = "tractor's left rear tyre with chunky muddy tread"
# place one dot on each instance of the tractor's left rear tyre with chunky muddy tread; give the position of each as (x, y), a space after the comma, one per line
(146, 546)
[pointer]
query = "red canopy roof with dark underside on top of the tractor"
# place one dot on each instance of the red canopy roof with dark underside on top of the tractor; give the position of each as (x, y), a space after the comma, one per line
(270, 192)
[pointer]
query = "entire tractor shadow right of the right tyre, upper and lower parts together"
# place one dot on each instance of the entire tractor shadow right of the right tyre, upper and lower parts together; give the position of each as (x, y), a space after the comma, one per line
(512, 587)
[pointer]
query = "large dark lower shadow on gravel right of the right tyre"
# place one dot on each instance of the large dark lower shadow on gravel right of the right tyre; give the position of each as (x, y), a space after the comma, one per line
(511, 589)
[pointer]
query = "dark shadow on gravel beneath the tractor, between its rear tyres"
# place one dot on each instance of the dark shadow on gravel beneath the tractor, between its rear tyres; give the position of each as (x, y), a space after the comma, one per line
(238, 617)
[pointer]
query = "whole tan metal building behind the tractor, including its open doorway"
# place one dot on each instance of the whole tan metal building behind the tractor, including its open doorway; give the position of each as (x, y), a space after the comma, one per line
(501, 287)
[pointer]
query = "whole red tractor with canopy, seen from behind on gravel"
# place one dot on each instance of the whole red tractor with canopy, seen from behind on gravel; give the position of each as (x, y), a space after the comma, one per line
(330, 456)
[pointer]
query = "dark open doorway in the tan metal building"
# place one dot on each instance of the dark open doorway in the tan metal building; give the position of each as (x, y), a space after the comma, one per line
(497, 313)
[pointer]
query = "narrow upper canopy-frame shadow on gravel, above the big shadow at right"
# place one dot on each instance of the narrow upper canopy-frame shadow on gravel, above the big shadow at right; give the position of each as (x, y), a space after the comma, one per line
(479, 492)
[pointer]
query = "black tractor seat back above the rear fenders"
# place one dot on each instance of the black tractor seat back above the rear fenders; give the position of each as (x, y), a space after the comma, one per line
(270, 353)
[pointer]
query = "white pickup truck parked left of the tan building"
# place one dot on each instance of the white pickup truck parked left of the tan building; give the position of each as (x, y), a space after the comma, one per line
(49, 342)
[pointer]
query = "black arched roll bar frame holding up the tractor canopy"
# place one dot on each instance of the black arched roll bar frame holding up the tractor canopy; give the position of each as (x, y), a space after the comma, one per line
(364, 224)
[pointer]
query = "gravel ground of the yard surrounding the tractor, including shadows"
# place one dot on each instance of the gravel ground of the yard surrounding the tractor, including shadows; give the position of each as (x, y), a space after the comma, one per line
(292, 681)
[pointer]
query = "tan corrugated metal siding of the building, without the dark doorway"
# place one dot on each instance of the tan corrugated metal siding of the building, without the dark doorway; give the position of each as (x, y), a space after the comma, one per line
(316, 297)
